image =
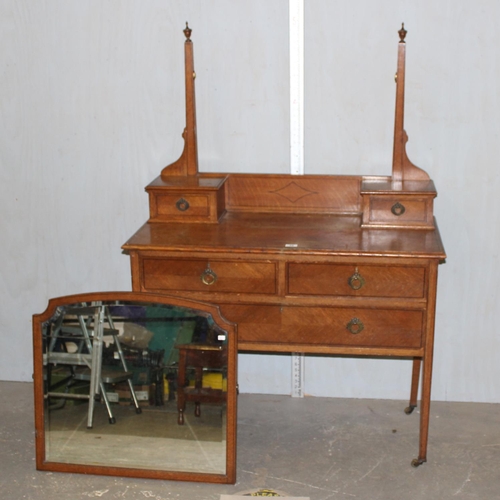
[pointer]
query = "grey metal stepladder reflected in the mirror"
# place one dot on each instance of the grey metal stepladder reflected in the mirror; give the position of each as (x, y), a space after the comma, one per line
(75, 341)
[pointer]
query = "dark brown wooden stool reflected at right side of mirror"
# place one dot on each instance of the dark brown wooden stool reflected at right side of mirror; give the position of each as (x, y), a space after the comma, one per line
(198, 357)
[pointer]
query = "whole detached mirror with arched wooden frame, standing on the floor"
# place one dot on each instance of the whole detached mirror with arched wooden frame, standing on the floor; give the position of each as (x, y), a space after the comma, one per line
(137, 385)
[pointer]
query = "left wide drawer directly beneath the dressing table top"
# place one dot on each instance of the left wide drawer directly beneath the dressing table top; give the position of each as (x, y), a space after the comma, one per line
(215, 276)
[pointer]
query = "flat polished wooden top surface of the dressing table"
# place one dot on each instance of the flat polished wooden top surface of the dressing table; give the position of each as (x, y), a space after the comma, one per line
(288, 234)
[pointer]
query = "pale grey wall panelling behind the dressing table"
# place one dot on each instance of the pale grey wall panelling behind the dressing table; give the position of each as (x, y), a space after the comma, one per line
(92, 108)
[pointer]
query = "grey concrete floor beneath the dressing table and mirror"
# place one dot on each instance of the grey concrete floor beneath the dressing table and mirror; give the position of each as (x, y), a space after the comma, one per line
(319, 448)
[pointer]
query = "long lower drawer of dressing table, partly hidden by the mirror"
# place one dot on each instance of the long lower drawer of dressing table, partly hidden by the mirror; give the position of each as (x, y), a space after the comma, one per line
(329, 326)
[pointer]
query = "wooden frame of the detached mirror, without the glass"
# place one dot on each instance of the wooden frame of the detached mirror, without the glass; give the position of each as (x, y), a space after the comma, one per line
(43, 464)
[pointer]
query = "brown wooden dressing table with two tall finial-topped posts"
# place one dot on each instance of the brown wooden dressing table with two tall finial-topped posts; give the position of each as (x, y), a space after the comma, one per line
(340, 265)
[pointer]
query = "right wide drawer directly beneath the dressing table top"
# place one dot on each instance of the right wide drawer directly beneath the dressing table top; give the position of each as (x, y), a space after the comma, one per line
(357, 281)
